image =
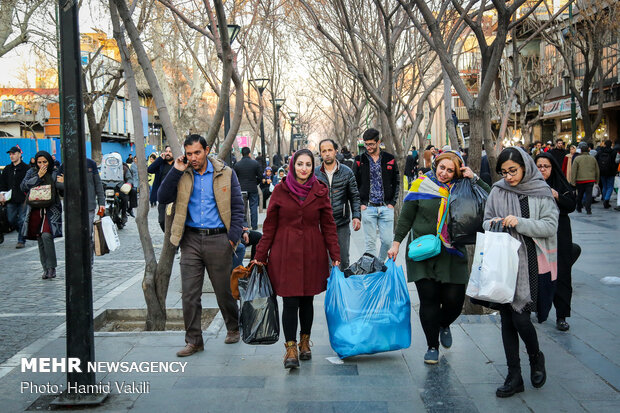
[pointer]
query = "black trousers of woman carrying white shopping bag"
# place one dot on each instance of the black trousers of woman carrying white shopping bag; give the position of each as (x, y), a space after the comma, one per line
(515, 325)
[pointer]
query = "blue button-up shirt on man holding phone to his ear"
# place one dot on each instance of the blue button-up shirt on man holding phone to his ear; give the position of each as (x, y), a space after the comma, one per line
(202, 209)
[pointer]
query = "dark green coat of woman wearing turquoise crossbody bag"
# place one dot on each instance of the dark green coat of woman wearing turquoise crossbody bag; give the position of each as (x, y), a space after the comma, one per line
(419, 218)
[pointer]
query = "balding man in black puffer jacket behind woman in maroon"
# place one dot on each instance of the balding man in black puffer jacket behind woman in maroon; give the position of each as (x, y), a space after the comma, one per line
(343, 195)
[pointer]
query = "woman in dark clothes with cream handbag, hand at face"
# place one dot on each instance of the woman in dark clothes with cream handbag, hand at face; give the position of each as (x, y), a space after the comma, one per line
(44, 211)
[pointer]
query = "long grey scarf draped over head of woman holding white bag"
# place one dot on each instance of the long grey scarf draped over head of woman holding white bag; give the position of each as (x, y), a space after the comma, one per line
(503, 201)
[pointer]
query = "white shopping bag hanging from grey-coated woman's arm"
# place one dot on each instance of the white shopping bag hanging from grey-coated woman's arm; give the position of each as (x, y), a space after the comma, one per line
(495, 266)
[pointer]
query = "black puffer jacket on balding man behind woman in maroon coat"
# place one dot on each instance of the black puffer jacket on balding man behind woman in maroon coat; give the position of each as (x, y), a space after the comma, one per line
(343, 193)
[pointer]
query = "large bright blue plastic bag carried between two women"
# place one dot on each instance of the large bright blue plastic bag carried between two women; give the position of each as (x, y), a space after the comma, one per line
(368, 313)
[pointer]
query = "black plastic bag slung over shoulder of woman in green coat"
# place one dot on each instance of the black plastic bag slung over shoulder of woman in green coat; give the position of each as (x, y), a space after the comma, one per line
(466, 212)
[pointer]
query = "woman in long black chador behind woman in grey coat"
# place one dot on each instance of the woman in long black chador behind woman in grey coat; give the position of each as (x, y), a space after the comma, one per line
(564, 196)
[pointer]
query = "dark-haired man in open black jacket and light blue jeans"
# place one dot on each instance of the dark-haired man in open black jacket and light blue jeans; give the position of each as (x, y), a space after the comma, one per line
(376, 173)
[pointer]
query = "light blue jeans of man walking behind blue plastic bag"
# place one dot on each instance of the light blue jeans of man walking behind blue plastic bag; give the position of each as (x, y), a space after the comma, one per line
(381, 219)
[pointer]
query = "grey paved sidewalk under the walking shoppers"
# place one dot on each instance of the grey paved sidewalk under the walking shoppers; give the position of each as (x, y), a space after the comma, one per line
(583, 364)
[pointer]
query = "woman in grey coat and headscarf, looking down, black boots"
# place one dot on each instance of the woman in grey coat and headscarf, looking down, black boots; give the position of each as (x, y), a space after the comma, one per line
(524, 205)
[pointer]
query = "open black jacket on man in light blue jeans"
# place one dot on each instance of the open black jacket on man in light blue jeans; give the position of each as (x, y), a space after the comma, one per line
(389, 173)
